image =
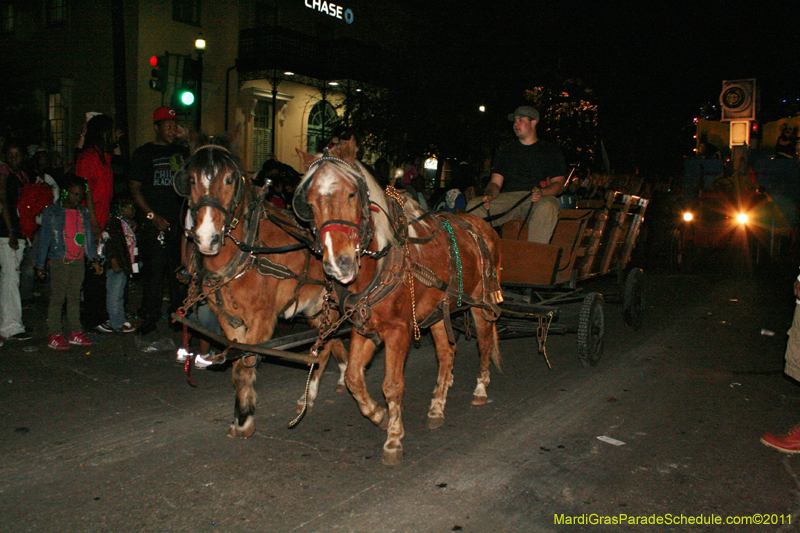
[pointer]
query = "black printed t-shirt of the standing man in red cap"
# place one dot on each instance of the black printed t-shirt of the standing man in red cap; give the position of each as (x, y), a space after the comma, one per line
(154, 165)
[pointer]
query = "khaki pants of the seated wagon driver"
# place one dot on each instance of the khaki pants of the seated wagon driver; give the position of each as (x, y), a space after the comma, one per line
(542, 221)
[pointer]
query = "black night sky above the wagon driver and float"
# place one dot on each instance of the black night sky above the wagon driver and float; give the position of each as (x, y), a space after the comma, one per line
(651, 64)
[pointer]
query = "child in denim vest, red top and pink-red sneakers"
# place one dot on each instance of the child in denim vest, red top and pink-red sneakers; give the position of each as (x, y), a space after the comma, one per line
(66, 238)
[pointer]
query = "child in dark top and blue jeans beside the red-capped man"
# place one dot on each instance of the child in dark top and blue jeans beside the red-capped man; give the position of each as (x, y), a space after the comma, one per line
(122, 258)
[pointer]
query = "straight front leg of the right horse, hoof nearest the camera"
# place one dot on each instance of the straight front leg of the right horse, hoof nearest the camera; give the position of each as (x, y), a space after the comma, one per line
(398, 342)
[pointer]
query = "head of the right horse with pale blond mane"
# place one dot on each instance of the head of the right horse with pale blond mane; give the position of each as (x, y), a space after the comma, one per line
(338, 197)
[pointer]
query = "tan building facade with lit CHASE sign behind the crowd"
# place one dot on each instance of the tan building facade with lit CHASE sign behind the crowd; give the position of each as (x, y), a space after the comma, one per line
(281, 71)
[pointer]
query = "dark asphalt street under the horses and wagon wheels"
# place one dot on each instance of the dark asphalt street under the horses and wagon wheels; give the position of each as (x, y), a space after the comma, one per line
(113, 439)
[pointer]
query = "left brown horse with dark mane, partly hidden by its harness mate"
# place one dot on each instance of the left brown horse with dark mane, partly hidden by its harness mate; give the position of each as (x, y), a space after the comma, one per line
(249, 292)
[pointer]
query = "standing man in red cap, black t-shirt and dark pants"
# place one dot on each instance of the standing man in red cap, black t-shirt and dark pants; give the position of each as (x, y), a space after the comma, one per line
(152, 169)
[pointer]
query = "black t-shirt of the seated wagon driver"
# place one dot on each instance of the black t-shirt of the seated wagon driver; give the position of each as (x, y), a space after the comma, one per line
(524, 167)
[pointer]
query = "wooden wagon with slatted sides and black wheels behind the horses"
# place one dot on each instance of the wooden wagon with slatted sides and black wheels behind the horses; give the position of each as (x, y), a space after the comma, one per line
(542, 280)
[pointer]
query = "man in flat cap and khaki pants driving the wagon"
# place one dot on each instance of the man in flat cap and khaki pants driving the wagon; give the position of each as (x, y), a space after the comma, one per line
(529, 169)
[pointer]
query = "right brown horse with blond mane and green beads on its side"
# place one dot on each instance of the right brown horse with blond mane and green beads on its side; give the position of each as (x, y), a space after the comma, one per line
(397, 269)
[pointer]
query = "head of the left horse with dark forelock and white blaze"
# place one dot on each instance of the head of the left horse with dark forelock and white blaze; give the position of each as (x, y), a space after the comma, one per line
(215, 186)
